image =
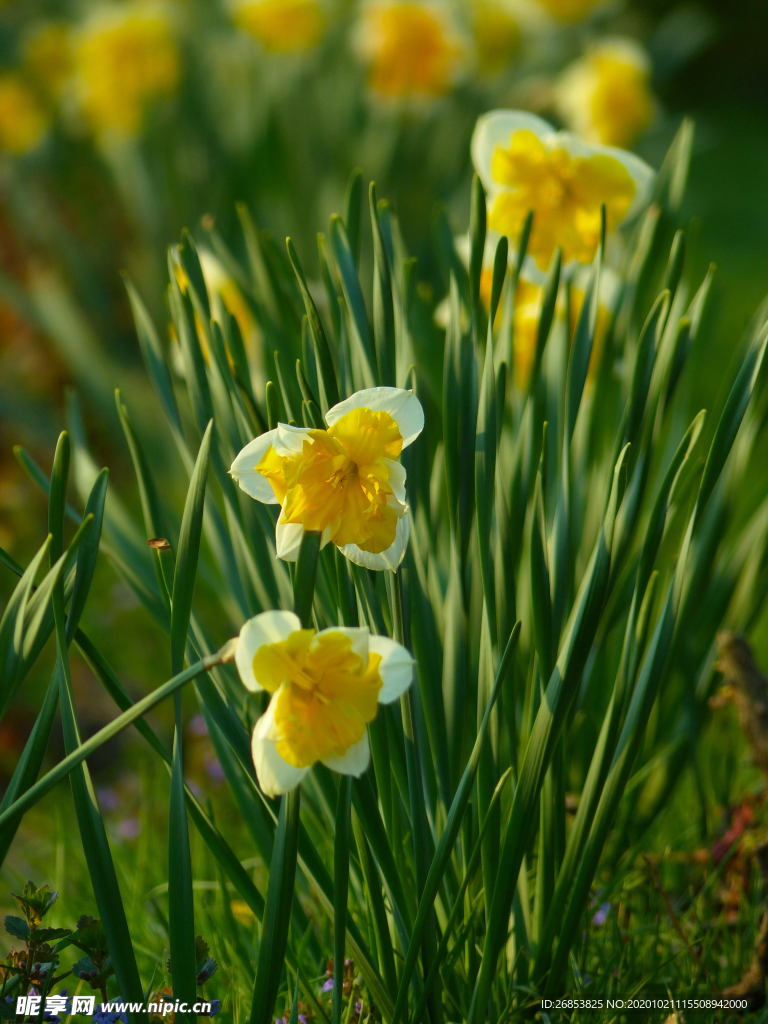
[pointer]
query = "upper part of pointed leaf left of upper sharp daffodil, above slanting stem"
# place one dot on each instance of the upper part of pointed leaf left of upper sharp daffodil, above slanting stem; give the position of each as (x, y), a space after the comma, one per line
(189, 551)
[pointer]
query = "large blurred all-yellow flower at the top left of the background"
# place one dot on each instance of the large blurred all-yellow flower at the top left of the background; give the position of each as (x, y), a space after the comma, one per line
(125, 57)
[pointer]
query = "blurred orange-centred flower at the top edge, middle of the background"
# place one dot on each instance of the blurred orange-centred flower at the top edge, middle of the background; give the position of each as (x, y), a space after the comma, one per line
(414, 50)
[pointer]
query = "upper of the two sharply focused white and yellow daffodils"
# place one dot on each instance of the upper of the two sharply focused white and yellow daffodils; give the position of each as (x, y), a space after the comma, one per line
(344, 482)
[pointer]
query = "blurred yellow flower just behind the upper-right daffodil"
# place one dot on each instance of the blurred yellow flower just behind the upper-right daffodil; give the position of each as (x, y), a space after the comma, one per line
(606, 96)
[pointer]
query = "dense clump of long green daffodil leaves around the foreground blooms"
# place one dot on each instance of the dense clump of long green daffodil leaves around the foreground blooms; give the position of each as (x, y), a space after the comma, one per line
(577, 502)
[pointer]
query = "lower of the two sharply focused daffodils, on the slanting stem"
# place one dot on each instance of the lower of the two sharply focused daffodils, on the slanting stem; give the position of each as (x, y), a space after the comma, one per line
(326, 689)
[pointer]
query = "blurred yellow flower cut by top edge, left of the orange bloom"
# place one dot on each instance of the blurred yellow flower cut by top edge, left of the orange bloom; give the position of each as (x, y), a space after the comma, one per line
(282, 26)
